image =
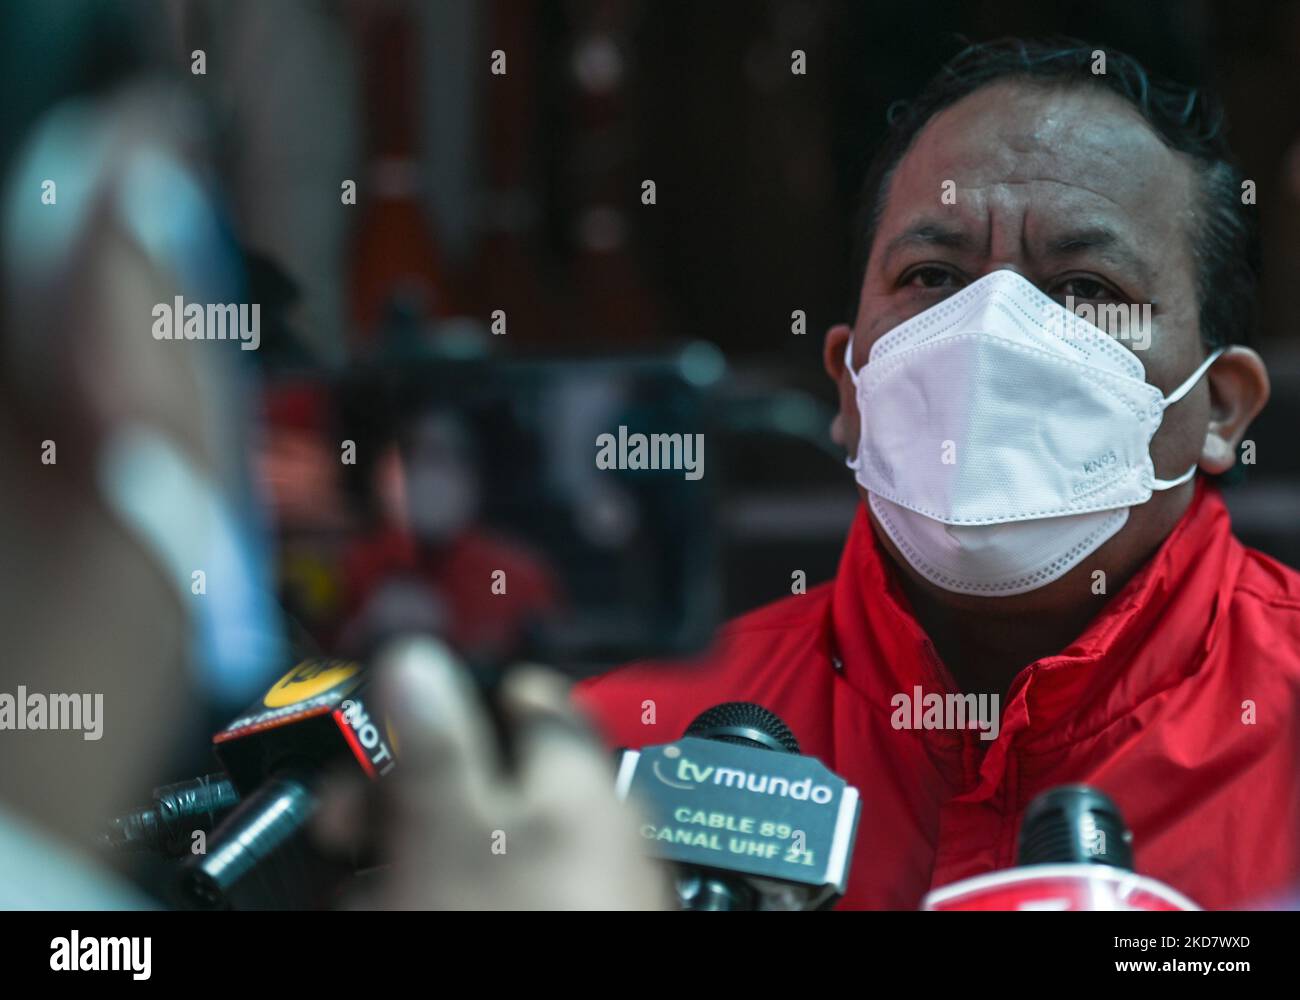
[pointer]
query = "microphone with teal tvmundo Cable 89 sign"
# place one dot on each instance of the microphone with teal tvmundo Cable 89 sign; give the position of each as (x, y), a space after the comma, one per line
(749, 822)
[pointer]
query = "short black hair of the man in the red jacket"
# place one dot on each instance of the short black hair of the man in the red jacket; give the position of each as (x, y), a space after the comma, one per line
(1225, 243)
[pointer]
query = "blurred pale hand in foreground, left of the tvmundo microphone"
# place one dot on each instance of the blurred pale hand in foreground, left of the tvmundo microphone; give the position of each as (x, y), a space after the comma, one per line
(460, 832)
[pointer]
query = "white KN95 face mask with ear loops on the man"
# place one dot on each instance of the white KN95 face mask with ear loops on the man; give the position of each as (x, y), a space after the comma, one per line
(1004, 439)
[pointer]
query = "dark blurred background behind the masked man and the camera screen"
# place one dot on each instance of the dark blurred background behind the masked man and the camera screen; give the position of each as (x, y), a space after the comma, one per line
(522, 193)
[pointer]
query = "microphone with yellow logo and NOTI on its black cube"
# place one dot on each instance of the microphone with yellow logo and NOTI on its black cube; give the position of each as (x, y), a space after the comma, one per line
(311, 720)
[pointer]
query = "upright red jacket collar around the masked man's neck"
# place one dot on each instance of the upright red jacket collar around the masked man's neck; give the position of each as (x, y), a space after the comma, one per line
(1147, 638)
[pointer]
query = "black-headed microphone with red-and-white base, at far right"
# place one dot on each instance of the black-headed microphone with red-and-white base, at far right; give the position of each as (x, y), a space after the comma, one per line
(1074, 854)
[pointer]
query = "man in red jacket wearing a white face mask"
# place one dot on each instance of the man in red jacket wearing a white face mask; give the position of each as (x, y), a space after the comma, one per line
(1033, 530)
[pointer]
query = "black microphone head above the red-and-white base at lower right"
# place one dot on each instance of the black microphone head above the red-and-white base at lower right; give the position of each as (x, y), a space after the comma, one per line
(1074, 825)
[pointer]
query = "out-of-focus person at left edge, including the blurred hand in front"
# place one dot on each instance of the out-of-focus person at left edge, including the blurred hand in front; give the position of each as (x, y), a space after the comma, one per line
(124, 467)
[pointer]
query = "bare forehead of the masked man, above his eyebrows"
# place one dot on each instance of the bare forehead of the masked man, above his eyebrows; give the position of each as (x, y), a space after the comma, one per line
(1021, 145)
